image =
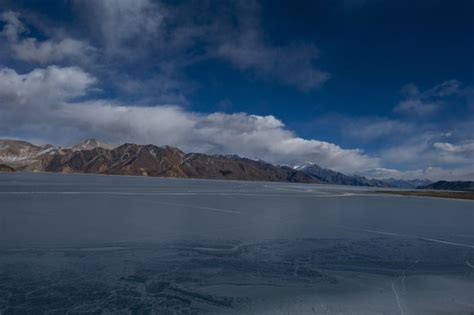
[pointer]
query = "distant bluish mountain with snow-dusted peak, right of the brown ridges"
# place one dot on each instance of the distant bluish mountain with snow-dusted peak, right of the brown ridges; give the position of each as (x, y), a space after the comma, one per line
(332, 177)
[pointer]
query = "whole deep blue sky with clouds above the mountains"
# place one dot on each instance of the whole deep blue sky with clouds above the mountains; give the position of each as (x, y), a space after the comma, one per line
(376, 88)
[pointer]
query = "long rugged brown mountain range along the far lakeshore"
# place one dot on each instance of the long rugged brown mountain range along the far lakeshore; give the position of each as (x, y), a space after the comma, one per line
(92, 156)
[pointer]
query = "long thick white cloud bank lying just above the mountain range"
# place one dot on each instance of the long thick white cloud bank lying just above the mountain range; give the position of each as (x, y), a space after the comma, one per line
(60, 118)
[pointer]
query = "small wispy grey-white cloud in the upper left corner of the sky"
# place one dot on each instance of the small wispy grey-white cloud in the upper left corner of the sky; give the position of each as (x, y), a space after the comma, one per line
(43, 52)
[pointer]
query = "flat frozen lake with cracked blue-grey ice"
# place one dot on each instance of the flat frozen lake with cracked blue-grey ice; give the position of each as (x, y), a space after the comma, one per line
(119, 245)
